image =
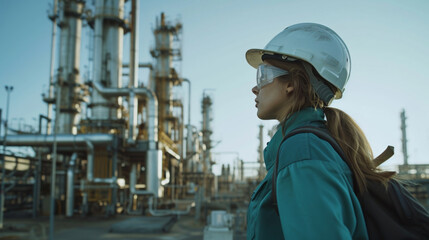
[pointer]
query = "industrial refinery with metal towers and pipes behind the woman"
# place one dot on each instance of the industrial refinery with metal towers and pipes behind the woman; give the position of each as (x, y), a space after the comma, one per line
(121, 157)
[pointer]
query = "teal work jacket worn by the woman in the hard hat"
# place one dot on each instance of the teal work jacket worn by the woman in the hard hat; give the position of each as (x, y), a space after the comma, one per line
(314, 189)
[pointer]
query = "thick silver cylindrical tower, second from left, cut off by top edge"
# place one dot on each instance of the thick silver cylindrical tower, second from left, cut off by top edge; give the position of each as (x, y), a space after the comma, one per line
(108, 50)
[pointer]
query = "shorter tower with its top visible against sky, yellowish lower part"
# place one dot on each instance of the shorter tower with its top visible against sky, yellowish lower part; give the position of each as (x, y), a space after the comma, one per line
(164, 78)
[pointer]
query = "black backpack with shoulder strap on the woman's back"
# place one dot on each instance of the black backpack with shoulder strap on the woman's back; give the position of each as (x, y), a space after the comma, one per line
(392, 214)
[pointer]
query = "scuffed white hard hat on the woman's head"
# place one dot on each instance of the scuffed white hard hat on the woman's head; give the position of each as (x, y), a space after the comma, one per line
(315, 44)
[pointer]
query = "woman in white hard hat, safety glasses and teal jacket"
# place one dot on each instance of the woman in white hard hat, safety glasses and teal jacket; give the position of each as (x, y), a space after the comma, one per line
(300, 71)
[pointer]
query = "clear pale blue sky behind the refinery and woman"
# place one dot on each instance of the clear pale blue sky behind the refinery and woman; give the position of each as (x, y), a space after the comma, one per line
(387, 39)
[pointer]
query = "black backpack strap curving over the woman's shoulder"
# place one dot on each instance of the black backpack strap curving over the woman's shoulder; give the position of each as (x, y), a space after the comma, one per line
(320, 132)
